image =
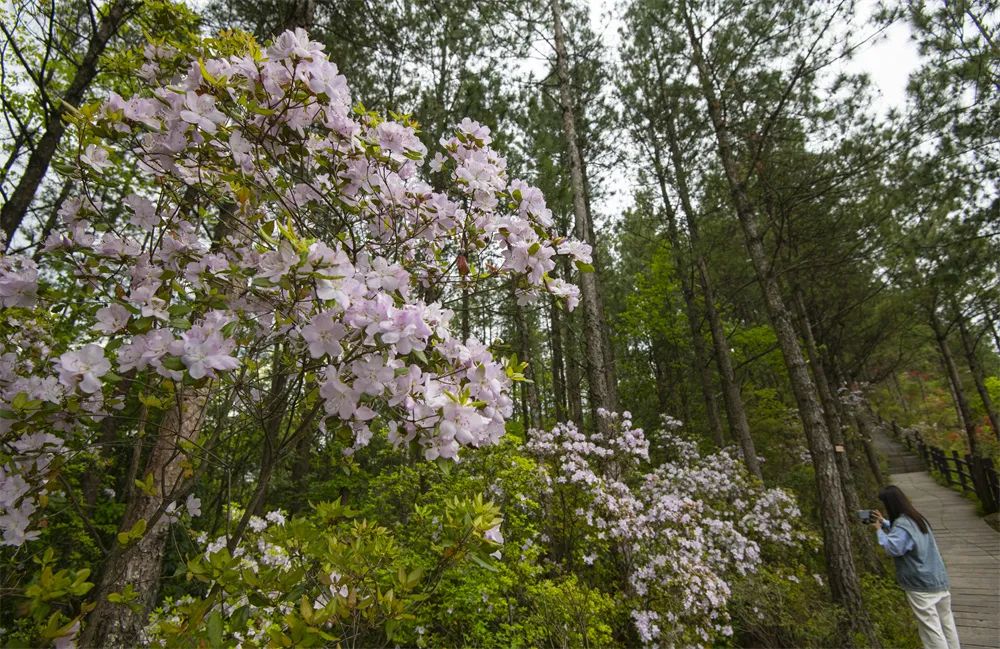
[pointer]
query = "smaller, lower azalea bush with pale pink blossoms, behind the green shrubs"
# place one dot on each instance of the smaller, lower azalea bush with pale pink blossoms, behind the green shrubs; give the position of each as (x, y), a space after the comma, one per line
(683, 530)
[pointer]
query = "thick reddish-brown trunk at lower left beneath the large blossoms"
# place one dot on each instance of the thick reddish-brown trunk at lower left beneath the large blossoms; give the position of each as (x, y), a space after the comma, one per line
(139, 564)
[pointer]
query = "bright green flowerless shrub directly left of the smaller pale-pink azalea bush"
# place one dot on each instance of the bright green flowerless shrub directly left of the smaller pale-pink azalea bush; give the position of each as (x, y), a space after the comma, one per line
(520, 598)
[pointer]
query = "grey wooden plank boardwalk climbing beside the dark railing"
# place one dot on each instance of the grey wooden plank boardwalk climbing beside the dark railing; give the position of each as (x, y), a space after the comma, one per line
(970, 547)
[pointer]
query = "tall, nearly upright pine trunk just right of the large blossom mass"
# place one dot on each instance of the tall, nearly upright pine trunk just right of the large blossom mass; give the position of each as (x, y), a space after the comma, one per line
(597, 370)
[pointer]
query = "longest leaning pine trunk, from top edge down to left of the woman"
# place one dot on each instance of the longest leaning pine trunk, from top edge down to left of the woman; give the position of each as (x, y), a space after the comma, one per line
(844, 581)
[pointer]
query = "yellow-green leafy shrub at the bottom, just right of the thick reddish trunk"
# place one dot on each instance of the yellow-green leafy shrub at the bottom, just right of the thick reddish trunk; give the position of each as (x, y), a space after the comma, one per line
(327, 577)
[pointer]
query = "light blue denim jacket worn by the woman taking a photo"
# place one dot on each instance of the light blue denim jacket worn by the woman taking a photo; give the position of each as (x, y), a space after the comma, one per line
(919, 566)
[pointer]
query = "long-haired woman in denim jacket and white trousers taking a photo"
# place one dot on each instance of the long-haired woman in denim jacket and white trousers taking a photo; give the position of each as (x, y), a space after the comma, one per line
(908, 539)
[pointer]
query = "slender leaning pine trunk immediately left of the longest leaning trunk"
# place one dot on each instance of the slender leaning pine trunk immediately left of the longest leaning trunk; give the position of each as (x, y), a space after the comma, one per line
(736, 414)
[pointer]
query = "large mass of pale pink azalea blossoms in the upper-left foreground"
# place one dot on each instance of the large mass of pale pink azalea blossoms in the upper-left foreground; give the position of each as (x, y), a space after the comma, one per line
(271, 221)
